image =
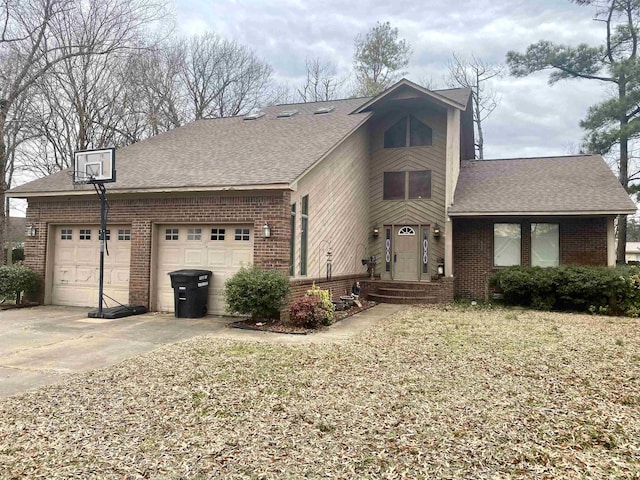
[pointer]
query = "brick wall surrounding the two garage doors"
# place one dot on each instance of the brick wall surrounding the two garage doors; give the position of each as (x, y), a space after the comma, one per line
(256, 208)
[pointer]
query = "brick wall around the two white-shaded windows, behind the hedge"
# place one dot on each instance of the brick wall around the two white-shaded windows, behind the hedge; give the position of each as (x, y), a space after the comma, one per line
(582, 241)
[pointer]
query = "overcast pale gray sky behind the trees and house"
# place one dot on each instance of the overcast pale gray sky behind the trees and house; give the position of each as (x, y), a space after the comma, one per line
(533, 118)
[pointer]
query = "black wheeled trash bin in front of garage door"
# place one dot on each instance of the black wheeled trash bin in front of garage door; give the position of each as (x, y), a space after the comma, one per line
(190, 292)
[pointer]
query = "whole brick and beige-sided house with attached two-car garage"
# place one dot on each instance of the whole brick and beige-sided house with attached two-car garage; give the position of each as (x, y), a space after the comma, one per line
(315, 188)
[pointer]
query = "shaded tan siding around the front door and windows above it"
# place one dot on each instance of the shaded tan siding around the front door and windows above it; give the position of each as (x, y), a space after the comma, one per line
(412, 212)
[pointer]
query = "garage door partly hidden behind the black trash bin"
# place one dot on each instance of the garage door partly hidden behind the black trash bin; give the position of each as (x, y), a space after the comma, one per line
(223, 249)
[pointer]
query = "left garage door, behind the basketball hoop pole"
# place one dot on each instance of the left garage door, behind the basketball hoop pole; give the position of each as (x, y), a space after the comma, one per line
(76, 265)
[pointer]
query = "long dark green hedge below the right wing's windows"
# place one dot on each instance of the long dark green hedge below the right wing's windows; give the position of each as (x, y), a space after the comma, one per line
(572, 287)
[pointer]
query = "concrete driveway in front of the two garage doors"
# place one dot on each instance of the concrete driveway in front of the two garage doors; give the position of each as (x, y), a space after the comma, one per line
(38, 345)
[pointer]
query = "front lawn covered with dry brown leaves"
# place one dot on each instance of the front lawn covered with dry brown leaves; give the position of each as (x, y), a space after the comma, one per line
(430, 393)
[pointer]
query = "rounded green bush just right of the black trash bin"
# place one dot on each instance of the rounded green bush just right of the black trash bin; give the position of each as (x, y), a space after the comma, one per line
(256, 292)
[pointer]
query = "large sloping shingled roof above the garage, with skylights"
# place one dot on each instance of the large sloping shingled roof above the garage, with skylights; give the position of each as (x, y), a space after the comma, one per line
(226, 152)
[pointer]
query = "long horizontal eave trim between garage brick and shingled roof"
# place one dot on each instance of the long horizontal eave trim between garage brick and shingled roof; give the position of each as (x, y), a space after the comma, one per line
(221, 188)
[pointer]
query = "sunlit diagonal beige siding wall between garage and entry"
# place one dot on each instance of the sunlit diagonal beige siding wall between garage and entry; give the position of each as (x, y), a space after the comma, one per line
(338, 209)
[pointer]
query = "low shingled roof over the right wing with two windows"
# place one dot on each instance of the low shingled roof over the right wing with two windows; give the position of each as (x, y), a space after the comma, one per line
(552, 185)
